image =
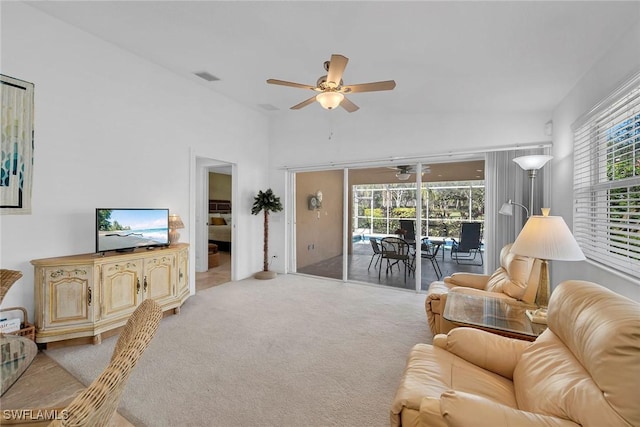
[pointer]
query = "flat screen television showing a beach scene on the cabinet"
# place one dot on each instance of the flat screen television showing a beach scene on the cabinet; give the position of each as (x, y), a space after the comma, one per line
(124, 230)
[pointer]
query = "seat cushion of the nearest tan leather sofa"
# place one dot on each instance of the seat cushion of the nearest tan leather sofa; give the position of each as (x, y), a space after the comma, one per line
(431, 371)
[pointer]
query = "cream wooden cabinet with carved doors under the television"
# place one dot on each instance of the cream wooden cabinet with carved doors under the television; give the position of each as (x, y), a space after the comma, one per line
(86, 295)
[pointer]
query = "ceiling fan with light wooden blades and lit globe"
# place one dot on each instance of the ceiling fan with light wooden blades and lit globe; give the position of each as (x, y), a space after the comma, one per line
(332, 89)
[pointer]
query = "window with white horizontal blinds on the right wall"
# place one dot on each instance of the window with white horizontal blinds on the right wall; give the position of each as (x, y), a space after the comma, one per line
(607, 181)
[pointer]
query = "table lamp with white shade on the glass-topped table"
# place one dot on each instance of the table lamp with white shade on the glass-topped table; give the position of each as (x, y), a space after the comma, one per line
(546, 238)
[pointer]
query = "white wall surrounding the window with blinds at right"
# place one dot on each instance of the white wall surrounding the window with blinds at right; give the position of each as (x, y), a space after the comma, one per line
(597, 83)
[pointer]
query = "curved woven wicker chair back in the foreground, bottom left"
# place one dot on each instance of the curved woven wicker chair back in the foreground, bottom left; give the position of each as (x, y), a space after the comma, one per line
(96, 405)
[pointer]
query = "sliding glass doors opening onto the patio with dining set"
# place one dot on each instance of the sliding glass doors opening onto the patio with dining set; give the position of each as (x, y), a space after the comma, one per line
(346, 220)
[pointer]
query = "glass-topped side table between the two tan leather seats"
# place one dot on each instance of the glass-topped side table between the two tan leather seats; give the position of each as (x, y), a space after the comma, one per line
(498, 315)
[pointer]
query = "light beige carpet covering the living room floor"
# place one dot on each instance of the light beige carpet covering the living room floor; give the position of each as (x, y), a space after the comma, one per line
(293, 351)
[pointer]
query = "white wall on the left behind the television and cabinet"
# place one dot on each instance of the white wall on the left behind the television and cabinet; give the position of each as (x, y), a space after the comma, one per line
(114, 130)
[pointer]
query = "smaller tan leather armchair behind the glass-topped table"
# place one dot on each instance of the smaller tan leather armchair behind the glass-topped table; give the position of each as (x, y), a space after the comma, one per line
(517, 277)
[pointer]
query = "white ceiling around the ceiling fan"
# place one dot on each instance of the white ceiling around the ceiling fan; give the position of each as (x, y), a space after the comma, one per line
(446, 57)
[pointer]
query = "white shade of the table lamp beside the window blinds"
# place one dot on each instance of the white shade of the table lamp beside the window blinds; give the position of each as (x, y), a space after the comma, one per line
(547, 238)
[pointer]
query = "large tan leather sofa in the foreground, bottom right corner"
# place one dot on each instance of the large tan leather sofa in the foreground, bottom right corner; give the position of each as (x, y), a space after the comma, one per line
(583, 370)
